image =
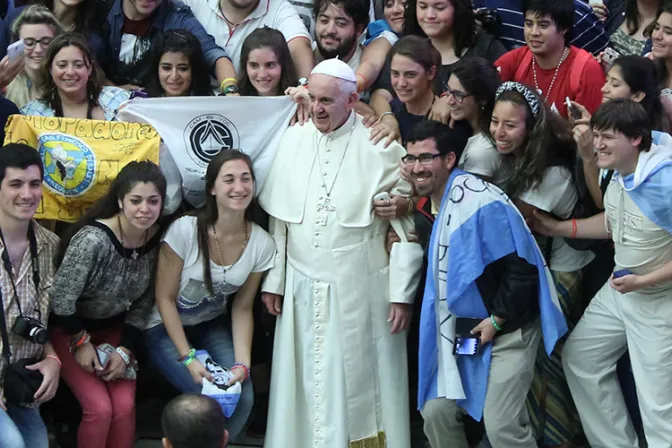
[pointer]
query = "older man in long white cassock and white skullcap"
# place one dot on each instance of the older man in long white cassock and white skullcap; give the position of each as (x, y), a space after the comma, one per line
(339, 361)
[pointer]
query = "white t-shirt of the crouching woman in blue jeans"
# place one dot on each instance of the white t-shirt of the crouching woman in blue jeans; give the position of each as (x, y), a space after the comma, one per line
(194, 302)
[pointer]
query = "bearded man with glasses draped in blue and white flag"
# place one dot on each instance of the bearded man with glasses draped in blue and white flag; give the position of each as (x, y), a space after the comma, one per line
(500, 292)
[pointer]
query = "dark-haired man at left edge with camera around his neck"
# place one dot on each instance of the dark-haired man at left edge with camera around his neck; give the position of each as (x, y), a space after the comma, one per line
(23, 245)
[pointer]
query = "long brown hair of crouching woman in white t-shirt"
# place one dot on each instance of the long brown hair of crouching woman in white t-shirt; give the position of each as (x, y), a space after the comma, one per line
(207, 215)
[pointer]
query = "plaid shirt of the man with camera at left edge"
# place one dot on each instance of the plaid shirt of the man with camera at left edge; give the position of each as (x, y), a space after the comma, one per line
(47, 243)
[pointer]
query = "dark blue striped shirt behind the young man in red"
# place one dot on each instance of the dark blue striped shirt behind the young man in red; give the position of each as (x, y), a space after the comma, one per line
(588, 32)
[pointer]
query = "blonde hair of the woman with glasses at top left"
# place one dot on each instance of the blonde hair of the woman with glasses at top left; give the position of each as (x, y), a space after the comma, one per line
(22, 89)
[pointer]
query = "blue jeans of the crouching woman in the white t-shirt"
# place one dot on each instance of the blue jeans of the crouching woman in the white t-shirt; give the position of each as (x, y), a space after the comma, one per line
(212, 336)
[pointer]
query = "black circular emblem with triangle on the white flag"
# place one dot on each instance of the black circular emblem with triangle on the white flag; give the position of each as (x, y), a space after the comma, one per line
(207, 135)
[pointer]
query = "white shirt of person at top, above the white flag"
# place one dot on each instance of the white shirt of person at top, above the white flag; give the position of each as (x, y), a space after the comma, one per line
(277, 14)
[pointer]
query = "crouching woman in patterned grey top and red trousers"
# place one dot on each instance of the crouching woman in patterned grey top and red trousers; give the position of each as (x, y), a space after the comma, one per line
(102, 293)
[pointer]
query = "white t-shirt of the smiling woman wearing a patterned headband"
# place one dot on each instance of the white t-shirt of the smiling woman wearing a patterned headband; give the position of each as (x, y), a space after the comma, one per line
(556, 194)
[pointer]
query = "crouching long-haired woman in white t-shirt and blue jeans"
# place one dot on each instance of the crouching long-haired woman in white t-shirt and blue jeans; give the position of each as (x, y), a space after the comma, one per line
(209, 270)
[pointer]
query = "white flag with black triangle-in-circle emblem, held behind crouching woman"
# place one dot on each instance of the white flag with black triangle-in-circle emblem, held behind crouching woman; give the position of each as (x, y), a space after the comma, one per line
(195, 129)
